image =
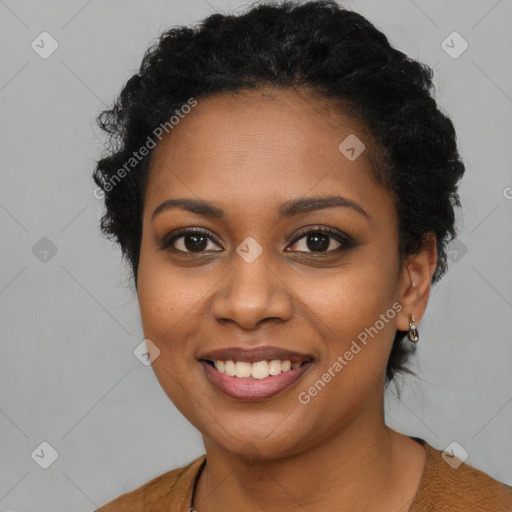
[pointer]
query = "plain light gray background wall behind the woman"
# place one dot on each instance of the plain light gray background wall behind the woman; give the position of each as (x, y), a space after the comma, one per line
(70, 324)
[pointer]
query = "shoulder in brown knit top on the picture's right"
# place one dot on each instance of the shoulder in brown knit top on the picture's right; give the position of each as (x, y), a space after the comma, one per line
(456, 486)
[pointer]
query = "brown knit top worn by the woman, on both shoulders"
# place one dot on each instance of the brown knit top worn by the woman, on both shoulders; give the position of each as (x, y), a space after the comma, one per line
(442, 489)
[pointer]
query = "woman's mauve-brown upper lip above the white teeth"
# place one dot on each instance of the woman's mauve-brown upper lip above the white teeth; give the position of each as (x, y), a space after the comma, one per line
(253, 355)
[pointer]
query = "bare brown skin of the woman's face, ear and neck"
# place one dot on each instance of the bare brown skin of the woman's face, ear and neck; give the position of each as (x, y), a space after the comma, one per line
(248, 153)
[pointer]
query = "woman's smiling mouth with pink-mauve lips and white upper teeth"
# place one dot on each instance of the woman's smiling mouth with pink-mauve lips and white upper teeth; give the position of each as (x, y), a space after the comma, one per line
(254, 374)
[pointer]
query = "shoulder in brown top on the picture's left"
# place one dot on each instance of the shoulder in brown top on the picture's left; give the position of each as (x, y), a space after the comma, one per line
(158, 493)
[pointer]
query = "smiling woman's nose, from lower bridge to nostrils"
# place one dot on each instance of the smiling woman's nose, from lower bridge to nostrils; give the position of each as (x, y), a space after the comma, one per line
(252, 294)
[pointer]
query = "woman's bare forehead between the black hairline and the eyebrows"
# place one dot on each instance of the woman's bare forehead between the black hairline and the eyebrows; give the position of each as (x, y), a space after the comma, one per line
(258, 146)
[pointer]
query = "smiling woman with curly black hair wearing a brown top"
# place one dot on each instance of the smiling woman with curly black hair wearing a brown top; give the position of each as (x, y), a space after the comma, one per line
(283, 186)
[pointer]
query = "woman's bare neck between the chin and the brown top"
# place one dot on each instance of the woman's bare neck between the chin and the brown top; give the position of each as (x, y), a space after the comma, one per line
(367, 463)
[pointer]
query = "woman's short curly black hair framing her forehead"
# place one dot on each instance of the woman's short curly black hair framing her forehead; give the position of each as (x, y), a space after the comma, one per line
(319, 46)
